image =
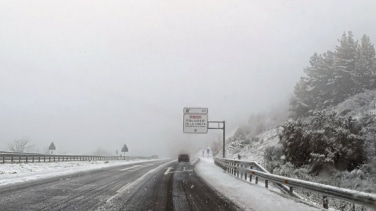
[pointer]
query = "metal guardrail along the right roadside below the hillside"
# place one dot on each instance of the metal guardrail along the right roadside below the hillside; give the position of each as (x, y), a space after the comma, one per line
(244, 169)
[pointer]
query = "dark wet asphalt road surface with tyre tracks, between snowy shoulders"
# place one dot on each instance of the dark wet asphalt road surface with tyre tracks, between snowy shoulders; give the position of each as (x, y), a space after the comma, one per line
(155, 185)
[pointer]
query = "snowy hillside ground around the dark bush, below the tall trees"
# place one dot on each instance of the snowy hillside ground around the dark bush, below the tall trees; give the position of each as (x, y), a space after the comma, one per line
(361, 107)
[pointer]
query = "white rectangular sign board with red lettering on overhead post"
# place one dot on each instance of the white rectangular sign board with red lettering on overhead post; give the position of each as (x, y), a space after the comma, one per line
(195, 120)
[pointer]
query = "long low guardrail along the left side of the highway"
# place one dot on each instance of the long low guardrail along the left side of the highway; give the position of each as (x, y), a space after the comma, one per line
(12, 157)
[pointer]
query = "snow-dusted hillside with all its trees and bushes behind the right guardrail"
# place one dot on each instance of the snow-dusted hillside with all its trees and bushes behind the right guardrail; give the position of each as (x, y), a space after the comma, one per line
(329, 134)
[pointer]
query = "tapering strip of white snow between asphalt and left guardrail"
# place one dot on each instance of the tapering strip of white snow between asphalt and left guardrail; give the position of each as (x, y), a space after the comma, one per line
(21, 172)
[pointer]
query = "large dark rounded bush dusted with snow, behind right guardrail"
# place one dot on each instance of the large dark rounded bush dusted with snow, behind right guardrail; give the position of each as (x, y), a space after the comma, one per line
(324, 139)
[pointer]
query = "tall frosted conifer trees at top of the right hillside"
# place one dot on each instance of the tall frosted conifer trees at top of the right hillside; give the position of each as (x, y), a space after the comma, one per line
(334, 76)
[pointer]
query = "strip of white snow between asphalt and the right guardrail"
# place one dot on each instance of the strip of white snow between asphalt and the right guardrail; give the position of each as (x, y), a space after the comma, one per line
(247, 195)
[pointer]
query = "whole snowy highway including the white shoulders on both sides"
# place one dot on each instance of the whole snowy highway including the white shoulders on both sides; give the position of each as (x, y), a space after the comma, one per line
(133, 185)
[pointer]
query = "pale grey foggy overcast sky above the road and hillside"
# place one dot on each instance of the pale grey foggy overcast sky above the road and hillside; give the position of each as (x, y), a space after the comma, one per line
(98, 74)
